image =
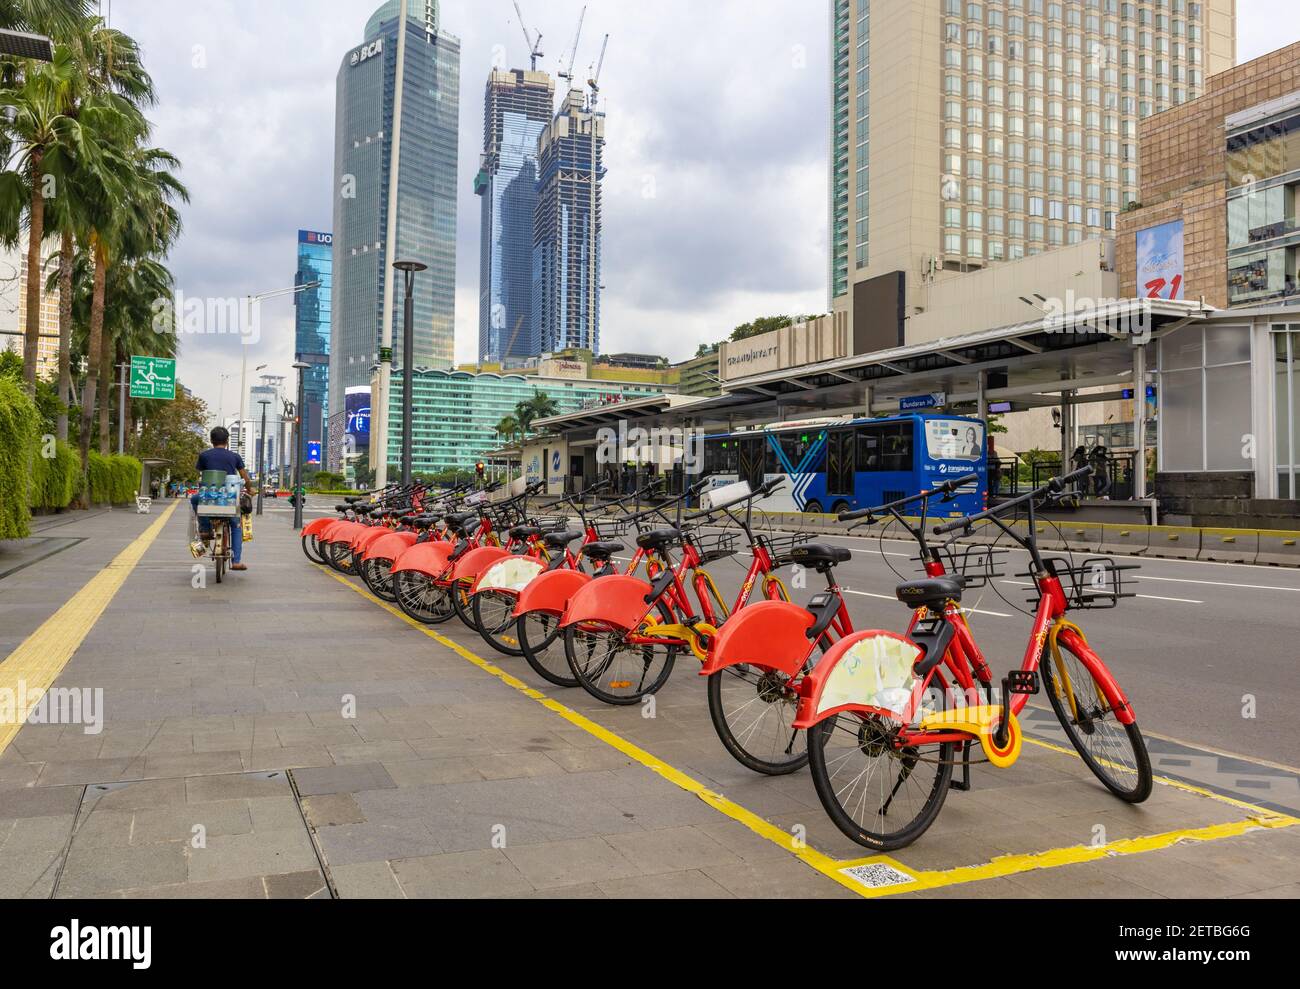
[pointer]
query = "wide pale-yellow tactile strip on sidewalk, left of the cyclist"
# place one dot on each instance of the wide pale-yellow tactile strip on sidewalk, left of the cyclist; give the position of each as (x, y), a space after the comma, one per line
(38, 661)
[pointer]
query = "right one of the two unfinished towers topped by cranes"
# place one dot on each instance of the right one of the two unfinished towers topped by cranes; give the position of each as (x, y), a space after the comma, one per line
(567, 229)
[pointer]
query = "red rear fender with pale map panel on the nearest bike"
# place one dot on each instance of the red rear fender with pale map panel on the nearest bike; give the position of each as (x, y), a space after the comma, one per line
(855, 673)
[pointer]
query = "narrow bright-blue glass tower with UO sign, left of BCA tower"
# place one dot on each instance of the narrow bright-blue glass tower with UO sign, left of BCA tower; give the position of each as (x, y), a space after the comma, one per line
(313, 327)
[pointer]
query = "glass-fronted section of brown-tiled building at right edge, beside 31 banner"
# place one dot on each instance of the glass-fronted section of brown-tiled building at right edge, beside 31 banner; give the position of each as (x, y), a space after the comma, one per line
(1263, 231)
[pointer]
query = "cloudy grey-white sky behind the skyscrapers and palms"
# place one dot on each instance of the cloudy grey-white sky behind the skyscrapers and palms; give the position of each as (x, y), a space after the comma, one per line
(716, 201)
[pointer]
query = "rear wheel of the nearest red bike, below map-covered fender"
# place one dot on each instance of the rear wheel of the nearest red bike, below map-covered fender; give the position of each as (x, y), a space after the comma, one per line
(879, 796)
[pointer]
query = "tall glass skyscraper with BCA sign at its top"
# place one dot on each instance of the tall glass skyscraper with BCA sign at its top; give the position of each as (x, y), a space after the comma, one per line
(419, 199)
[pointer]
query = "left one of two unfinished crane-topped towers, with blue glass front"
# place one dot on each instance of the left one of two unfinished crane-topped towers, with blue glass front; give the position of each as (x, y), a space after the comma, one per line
(517, 110)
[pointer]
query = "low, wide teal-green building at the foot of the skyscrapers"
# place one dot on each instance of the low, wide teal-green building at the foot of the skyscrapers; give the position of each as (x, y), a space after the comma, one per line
(457, 413)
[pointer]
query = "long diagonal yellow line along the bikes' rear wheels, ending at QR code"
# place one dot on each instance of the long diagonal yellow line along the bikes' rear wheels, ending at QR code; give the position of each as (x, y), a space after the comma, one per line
(813, 858)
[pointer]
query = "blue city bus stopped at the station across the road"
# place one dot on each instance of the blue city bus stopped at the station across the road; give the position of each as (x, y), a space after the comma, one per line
(837, 466)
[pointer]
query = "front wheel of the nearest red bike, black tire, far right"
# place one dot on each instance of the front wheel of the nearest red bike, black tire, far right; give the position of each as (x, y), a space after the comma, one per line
(1113, 752)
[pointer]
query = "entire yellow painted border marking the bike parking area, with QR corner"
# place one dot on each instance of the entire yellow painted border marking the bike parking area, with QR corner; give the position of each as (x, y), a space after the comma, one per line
(833, 869)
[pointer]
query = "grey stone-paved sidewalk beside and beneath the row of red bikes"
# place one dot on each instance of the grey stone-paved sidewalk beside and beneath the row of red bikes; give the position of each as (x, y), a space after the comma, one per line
(283, 735)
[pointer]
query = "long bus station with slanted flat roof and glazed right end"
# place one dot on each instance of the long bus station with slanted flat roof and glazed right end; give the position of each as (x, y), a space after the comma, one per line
(1215, 413)
